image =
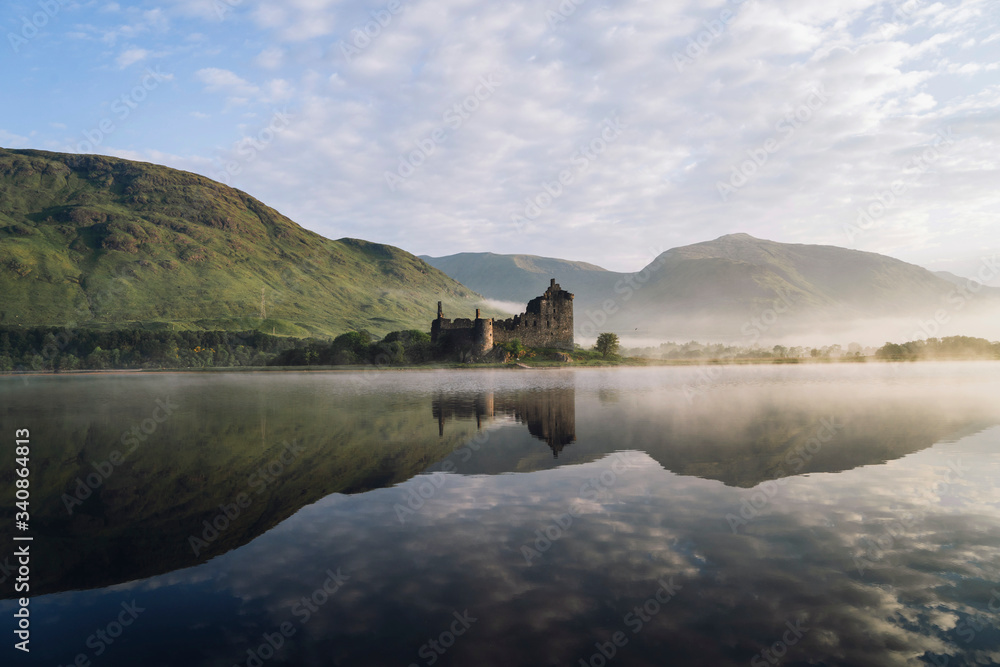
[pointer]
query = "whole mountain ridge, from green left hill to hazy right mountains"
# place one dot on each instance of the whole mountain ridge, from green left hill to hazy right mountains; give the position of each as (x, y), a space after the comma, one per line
(88, 240)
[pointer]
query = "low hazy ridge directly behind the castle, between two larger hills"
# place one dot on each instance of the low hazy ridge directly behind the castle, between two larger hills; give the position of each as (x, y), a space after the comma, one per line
(519, 278)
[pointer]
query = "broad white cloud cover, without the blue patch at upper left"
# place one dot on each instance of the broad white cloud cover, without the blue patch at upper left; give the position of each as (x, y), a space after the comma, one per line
(895, 74)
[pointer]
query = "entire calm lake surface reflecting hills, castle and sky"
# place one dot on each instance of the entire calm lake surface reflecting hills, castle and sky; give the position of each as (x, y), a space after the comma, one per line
(795, 515)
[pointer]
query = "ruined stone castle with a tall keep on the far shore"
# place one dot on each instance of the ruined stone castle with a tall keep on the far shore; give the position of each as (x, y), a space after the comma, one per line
(546, 322)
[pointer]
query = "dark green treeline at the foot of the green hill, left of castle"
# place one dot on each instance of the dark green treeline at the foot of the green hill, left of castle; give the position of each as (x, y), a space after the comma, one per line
(62, 349)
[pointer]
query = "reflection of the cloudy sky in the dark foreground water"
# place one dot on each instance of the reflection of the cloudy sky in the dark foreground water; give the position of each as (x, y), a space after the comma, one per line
(462, 552)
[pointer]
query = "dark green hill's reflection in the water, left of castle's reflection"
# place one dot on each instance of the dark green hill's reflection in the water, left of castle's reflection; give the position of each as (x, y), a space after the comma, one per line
(222, 441)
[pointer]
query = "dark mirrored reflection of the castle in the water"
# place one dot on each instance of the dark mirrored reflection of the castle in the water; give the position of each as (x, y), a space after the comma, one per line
(550, 415)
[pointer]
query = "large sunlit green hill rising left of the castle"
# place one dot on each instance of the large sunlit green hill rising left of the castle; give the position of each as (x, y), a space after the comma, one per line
(96, 241)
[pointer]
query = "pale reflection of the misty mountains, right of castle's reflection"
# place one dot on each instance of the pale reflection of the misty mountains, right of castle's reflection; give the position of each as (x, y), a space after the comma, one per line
(743, 436)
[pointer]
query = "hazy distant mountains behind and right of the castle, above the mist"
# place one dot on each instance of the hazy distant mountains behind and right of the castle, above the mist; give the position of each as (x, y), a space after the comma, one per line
(739, 288)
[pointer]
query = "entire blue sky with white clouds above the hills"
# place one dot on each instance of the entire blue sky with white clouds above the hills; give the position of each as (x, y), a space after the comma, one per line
(605, 132)
